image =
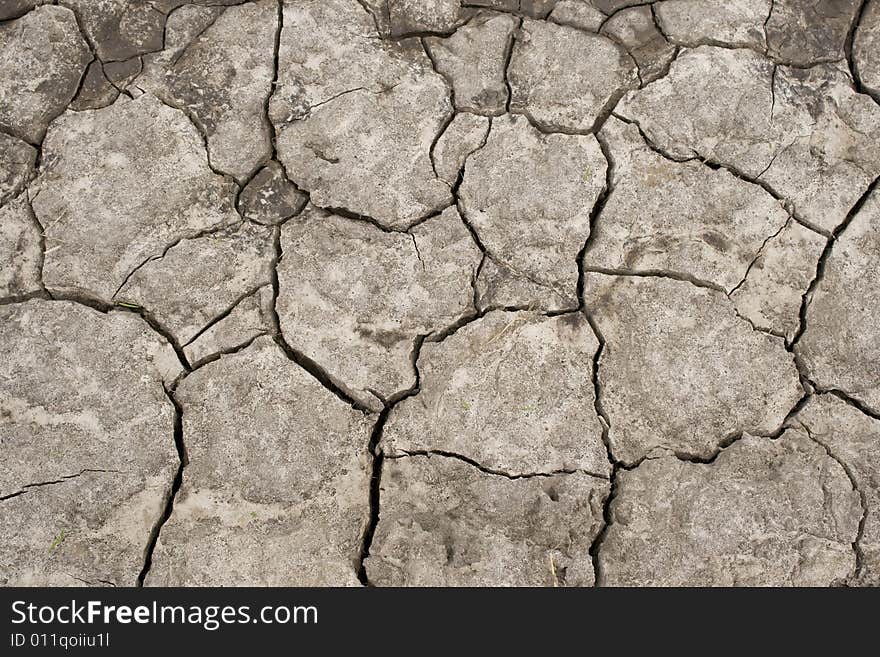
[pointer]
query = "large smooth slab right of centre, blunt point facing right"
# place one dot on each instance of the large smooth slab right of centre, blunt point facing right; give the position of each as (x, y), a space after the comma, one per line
(680, 370)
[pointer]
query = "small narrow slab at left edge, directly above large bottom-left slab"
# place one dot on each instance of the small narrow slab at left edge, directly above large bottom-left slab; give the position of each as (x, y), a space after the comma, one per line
(20, 250)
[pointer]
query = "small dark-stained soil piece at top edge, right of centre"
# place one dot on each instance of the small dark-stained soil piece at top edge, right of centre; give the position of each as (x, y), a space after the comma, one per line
(635, 28)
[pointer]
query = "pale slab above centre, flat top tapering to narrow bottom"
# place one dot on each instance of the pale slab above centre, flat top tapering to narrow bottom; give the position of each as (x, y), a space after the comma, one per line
(529, 197)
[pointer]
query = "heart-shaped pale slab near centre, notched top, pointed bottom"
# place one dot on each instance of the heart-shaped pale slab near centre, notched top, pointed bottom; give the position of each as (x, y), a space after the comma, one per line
(354, 298)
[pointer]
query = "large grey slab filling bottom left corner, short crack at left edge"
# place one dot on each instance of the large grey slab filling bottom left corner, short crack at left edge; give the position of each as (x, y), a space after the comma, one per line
(88, 444)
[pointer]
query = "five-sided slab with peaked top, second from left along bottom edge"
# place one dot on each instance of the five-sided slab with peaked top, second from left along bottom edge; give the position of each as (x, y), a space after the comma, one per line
(299, 523)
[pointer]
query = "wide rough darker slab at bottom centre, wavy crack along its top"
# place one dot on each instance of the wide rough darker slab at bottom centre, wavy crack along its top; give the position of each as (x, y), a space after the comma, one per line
(446, 523)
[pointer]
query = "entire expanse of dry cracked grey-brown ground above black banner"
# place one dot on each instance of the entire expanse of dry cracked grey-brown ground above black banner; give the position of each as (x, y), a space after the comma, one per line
(434, 292)
